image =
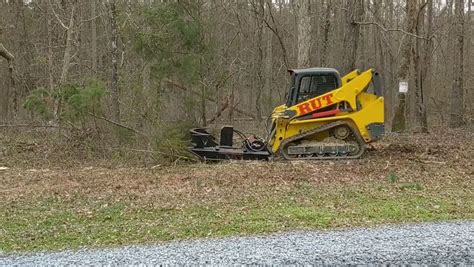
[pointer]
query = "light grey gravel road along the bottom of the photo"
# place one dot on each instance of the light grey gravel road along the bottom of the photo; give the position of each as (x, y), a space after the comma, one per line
(434, 243)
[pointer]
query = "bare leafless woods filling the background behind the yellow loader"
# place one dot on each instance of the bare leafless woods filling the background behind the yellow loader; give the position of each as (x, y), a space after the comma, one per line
(152, 65)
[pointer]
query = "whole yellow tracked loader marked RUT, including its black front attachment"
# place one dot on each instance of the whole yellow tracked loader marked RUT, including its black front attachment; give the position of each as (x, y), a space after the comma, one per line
(325, 116)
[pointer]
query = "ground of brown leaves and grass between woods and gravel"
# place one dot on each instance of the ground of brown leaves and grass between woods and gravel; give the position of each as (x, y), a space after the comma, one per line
(403, 179)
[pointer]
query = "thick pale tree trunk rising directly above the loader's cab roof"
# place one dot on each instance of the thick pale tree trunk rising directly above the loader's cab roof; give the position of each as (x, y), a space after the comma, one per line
(304, 33)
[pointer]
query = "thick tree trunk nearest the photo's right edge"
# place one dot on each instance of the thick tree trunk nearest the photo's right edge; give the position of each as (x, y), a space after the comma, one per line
(456, 118)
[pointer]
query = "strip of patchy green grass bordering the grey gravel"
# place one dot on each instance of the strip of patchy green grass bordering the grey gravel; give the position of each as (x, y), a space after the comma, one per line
(58, 221)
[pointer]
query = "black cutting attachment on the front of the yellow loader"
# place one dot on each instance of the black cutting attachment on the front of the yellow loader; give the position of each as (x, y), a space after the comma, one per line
(206, 147)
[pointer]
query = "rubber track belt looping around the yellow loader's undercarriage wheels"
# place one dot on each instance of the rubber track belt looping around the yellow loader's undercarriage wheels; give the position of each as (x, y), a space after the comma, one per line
(325, 127)
